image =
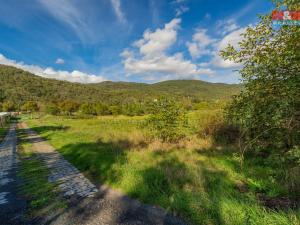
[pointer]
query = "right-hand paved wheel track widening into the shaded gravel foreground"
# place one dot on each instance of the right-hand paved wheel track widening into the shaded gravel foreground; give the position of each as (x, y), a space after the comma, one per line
(91, 205)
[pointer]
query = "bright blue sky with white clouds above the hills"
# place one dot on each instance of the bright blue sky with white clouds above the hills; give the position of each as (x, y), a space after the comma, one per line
(125, 40)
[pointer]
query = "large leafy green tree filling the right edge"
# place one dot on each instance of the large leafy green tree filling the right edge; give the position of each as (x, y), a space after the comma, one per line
(267, 109)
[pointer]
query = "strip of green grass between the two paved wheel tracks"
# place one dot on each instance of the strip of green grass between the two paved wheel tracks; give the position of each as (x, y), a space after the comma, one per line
(43, 196)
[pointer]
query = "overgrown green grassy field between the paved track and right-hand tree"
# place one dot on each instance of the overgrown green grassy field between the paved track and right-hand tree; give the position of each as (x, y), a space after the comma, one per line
(197, 179)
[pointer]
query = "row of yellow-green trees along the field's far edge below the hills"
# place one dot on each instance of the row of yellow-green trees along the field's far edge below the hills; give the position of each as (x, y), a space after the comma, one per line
(70, 108)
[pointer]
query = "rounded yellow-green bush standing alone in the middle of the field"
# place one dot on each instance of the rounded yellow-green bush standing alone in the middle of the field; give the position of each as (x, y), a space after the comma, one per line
(167, 120)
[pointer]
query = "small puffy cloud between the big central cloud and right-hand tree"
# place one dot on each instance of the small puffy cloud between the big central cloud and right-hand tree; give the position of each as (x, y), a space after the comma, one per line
(201, 44)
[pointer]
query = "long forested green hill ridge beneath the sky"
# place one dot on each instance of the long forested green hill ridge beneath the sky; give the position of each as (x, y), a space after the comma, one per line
(17, 86)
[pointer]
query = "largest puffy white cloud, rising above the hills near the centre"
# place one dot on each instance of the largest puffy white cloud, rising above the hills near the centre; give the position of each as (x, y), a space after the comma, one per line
(151, 60)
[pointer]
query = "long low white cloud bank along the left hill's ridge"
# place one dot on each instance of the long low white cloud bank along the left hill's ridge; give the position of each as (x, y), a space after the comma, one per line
(74, 76)
